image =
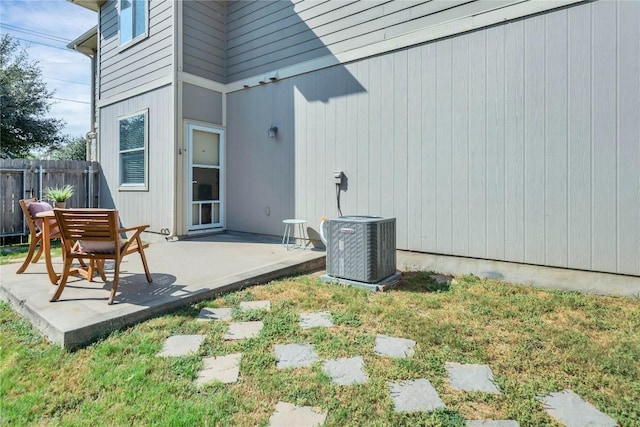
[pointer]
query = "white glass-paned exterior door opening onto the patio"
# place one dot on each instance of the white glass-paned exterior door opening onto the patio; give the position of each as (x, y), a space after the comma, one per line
(206, 177)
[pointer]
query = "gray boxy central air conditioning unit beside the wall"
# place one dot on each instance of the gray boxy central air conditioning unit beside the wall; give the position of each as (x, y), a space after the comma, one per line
(361, 248)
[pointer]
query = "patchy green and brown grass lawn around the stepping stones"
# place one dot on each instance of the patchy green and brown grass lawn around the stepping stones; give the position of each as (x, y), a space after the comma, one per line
(535, 341)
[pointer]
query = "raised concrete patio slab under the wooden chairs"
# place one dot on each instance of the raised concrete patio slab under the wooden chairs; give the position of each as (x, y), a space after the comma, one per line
(184, 272)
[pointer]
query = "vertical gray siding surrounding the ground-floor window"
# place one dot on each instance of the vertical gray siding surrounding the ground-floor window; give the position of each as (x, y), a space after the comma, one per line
(141, 207)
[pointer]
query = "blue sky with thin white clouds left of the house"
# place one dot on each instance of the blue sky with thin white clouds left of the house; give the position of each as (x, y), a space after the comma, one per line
(44, 27)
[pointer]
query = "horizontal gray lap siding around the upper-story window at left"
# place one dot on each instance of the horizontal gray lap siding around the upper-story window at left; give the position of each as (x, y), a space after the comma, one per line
(144, 61)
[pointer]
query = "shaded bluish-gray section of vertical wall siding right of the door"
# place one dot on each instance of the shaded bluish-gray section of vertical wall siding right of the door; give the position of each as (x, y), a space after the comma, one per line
(259, 170)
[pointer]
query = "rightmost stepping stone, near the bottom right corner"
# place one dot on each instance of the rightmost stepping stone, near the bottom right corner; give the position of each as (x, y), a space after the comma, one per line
(569, 409)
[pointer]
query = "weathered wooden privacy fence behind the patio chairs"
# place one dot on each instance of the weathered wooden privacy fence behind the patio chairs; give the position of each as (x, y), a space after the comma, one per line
(30, 178)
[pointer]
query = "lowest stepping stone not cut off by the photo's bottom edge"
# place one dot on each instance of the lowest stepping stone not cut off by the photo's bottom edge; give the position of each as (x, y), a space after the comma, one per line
(415, 396)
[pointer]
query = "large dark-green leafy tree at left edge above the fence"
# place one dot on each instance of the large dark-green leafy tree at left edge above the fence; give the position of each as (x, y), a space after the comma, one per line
(24, 102)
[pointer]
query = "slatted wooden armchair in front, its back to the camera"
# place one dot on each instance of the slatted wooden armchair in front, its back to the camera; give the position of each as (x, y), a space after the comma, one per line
(94, 235)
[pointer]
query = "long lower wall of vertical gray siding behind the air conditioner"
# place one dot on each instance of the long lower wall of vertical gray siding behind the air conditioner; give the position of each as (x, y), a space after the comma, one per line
(518, 142)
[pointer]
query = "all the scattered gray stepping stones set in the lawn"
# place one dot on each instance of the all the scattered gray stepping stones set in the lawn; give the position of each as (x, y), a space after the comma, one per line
(414, 395)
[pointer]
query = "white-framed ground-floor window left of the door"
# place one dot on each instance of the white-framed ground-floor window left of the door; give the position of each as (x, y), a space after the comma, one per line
(133, 147)
